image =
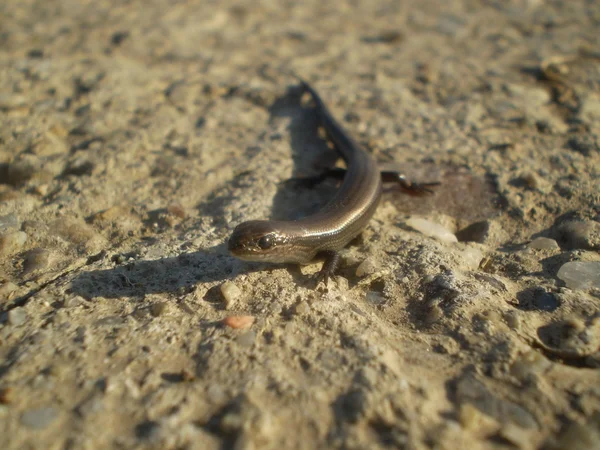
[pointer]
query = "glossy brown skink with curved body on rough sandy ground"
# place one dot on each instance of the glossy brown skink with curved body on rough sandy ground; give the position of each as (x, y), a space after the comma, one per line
(329, 230)
